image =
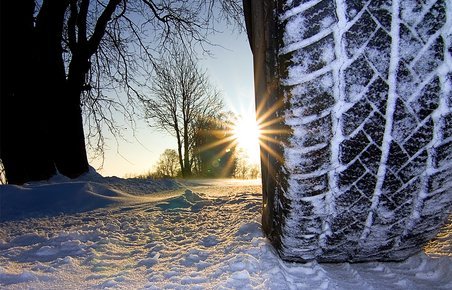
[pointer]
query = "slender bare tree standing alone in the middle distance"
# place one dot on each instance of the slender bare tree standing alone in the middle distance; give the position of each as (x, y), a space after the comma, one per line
(181, 95)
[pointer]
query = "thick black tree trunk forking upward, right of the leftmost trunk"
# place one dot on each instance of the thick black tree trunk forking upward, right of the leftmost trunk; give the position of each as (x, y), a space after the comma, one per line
(65, 120)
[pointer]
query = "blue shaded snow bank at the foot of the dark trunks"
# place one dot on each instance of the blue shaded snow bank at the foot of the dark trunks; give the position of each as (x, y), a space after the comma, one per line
(62, 195)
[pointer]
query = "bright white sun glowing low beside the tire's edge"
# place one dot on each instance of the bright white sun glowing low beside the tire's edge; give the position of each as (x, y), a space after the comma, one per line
(247, 133)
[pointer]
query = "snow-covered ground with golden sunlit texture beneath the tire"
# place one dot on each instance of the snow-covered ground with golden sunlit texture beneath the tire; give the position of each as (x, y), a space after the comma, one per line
(200, 235)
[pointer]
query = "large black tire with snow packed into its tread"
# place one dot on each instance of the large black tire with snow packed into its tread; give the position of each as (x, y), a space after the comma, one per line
(361, 169)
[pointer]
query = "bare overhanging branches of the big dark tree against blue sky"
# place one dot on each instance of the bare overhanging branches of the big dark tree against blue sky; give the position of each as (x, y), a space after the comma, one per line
(136, 35)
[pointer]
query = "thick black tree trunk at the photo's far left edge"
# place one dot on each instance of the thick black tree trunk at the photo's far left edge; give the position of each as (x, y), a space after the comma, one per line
(24, 147)
